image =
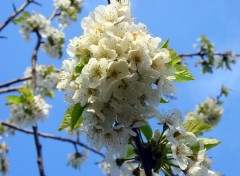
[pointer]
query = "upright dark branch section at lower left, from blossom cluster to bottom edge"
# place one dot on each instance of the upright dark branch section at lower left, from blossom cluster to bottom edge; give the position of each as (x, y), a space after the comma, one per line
(39, 151)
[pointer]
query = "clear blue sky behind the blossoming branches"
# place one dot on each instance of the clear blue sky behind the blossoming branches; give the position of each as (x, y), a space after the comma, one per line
(180, 21)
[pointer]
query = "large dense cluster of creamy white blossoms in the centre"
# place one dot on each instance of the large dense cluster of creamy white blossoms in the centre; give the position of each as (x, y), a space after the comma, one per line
(118, 73)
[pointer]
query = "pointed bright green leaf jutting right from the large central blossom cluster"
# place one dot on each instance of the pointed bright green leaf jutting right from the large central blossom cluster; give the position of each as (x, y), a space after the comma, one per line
(182, 74)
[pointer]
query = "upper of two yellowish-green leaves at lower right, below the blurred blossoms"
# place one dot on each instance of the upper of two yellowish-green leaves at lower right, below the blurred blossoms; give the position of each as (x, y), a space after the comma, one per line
(197, 126)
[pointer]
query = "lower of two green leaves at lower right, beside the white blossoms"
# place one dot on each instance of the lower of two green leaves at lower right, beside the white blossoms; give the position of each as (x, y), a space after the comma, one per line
(208, 144)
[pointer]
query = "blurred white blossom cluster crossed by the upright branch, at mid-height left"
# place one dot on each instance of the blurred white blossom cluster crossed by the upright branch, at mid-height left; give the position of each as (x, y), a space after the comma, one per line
(46, 79)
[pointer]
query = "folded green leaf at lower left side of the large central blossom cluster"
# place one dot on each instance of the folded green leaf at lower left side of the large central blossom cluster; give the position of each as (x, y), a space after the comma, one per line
(72, 117)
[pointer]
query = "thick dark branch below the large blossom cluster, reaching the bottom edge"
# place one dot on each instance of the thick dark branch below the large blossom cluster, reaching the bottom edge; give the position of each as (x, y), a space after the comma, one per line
(142, 155)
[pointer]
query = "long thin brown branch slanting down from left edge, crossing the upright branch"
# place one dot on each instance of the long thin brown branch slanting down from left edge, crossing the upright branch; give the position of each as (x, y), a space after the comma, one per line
(49, 136)
